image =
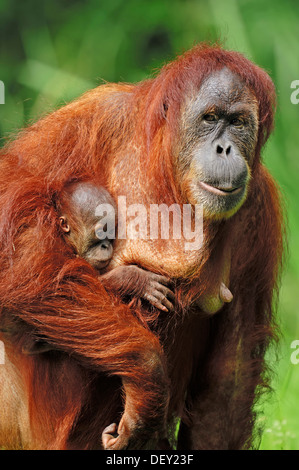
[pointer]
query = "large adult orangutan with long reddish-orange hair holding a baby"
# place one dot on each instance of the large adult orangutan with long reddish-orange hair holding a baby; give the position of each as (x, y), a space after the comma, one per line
(192, 135)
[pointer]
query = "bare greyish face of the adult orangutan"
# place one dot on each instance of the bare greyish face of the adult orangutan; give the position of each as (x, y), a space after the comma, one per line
(220, 131)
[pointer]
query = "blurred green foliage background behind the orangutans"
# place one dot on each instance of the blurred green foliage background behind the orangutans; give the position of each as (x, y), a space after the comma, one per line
(52, 51)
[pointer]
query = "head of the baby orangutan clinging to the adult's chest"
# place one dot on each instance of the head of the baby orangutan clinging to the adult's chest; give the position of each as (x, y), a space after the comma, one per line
(89, 234)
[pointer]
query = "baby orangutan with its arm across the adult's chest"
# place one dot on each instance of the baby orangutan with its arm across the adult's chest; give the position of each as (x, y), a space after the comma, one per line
(92, 236)
